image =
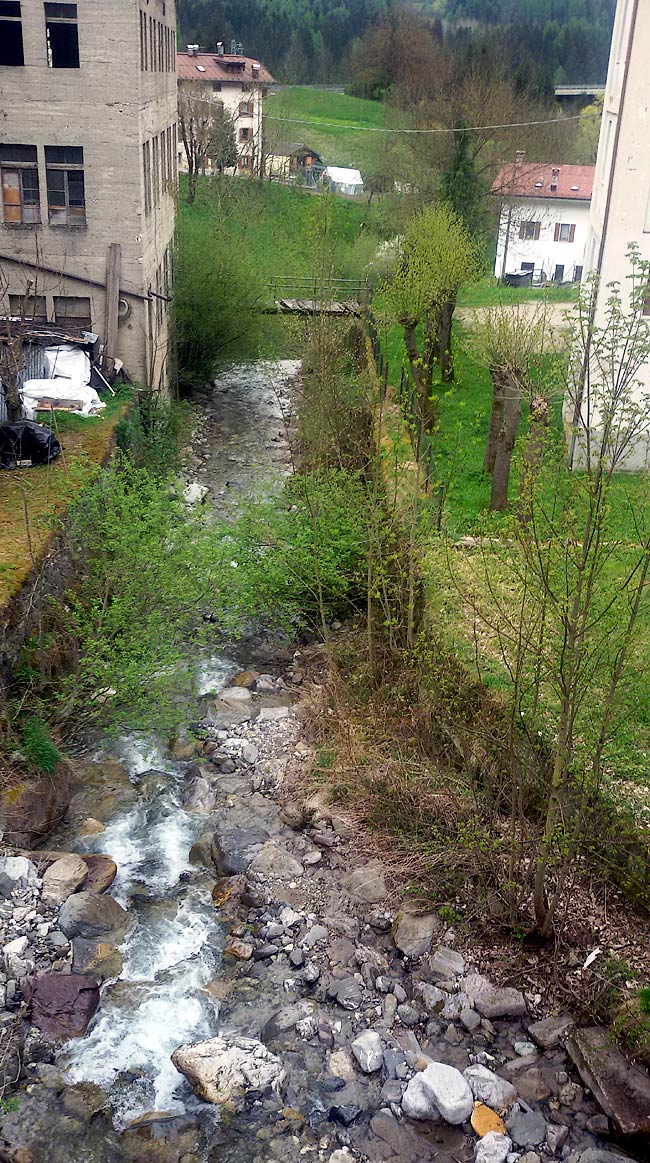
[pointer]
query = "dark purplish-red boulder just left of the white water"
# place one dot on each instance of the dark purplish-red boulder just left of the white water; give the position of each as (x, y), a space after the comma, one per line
(62, 1004)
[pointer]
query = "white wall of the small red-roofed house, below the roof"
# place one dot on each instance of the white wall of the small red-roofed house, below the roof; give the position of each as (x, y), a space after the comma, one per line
(544, 252)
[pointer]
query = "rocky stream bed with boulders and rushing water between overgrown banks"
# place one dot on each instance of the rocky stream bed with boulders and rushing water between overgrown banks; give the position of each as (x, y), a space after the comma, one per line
(204, 969)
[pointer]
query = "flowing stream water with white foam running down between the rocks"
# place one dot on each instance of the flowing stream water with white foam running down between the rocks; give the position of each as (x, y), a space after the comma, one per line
(173, 950)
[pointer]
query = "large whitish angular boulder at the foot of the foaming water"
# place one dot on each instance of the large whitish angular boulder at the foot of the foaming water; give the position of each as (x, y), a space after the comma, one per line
(223, 1068)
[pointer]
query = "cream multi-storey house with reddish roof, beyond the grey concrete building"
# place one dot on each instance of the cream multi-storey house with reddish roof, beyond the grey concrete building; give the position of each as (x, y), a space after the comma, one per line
(240, 84)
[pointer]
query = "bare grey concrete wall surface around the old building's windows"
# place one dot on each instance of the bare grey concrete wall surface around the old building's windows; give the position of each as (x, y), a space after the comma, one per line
(110, 106)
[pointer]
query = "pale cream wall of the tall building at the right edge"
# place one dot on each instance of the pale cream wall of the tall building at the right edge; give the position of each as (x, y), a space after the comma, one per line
(620, 211)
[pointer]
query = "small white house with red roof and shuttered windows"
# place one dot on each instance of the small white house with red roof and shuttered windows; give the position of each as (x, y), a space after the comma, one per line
(545, 220)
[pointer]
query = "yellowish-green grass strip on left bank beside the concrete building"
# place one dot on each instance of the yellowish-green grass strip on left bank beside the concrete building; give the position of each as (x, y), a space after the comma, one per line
(32, 501)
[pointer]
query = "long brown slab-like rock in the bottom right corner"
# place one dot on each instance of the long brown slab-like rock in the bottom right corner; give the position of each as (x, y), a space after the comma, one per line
(620, 1089)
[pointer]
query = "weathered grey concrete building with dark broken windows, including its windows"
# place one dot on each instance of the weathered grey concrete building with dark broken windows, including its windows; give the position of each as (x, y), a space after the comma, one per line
(89, 174)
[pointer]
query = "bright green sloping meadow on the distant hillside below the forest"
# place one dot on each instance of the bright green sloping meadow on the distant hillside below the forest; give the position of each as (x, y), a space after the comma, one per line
(330, 125)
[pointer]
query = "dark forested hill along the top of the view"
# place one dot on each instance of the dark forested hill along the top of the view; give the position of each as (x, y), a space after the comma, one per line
(313, 41)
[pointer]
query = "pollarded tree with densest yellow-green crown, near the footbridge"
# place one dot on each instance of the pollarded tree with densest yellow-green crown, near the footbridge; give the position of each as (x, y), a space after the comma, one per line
(439, 258)
